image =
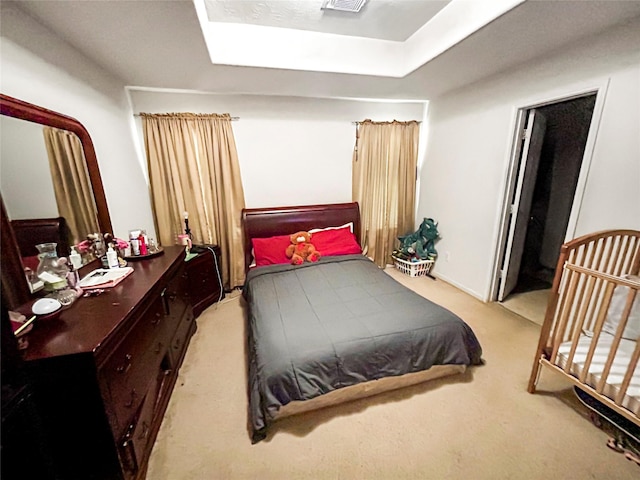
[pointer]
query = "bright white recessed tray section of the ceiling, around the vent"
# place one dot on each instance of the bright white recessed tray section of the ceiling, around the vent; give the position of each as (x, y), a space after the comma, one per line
(386, 38)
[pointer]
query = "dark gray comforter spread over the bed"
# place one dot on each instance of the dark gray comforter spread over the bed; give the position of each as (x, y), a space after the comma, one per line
(314, 328)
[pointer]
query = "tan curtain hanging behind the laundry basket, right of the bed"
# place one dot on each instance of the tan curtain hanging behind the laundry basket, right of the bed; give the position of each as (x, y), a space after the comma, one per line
(384, 183)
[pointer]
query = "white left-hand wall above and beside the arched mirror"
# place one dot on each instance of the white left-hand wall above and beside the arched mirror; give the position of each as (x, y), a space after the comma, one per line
(40, 68)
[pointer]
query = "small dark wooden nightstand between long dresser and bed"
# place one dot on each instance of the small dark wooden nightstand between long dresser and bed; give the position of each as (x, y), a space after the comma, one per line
(204, 274)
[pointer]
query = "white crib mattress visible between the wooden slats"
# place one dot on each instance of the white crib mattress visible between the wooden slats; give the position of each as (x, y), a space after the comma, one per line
(631, 400)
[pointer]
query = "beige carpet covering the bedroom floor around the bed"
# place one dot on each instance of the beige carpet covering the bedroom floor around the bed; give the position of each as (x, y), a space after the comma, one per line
(480, 425)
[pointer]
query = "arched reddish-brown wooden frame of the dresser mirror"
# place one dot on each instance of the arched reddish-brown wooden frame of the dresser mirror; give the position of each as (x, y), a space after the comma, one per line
(15, 290)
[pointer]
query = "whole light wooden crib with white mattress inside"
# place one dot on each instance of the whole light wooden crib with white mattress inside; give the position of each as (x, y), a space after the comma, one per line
(592, 323)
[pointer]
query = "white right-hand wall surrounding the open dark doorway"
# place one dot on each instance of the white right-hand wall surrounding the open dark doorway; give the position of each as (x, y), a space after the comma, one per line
(464, 173)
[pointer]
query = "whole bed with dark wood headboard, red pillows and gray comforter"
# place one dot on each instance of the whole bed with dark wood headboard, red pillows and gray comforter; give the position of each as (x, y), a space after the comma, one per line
(341, 328)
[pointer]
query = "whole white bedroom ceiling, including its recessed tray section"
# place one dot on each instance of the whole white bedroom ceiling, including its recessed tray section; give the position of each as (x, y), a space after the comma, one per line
(395, 49)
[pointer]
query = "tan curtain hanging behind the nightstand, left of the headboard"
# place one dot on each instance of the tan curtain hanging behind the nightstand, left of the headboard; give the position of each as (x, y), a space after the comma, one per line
(193, 167)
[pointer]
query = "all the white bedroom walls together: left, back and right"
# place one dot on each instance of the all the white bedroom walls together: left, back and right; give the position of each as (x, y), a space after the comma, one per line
(462, 177)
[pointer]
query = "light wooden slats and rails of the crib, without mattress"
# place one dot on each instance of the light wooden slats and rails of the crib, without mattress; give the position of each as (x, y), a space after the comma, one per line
(589, 270)
